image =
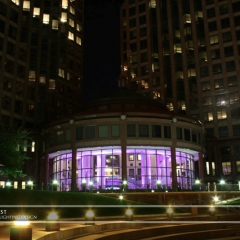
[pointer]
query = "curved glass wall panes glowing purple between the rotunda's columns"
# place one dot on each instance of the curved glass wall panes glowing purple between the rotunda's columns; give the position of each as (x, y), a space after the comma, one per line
(101, 168)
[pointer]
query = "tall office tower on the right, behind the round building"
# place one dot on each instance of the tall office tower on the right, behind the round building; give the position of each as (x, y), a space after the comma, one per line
(187, 54)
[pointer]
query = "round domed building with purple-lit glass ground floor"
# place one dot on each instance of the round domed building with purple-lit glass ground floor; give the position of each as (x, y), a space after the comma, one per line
(123, 137)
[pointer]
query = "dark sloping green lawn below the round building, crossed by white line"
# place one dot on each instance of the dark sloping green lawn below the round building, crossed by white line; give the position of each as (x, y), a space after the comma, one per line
(50, 198)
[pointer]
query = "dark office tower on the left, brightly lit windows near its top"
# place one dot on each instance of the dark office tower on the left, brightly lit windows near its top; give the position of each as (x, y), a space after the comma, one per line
(41, 60)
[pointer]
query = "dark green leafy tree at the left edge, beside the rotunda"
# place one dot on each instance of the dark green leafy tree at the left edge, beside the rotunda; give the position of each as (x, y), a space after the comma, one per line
(12, 157)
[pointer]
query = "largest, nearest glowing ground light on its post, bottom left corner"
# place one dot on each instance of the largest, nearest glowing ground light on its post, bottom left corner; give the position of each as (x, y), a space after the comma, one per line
(21, 229)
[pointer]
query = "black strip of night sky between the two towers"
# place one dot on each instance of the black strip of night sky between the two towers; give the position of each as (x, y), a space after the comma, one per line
(101, 63)
